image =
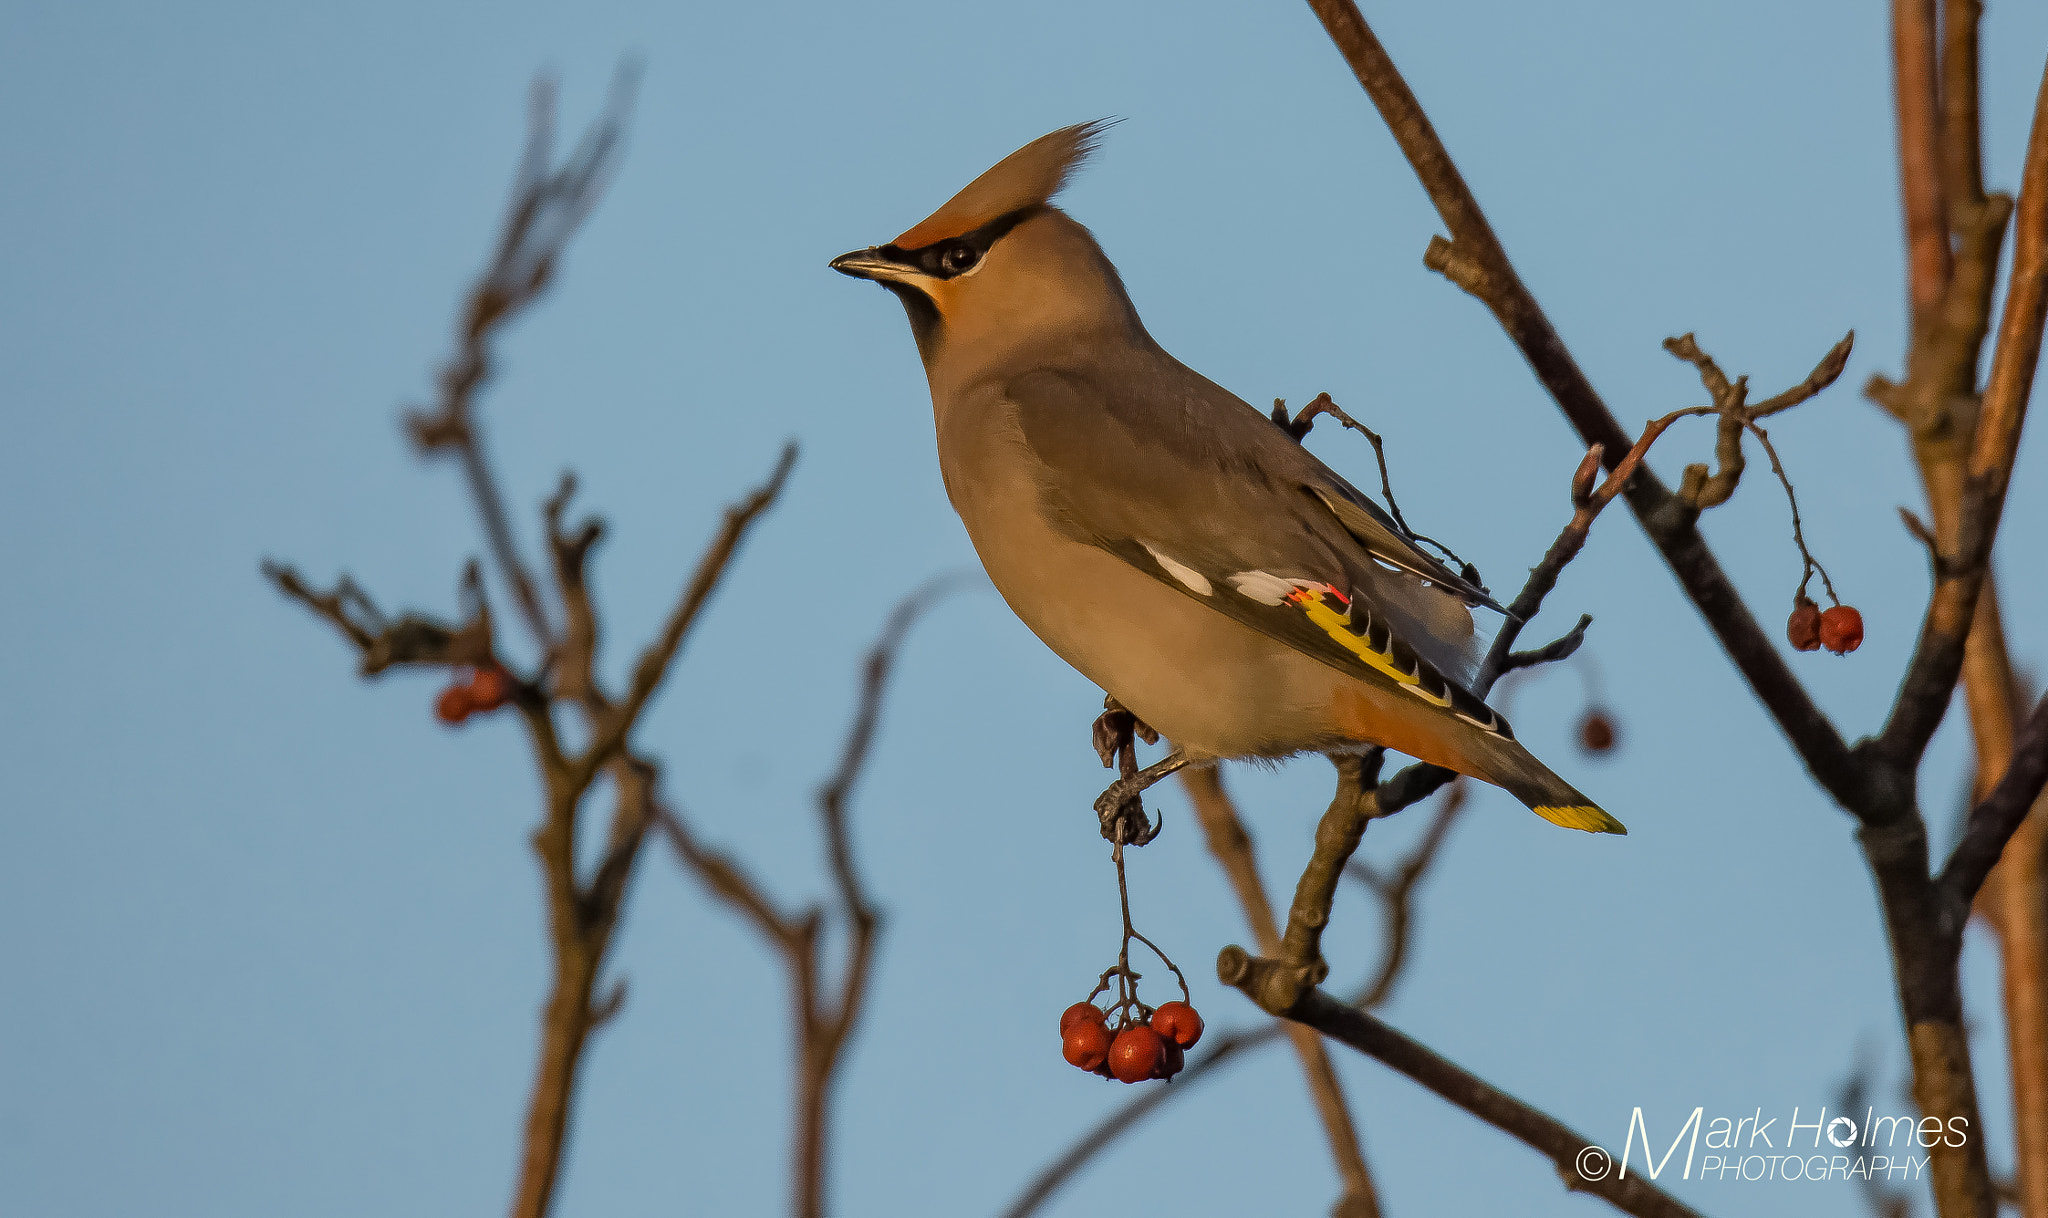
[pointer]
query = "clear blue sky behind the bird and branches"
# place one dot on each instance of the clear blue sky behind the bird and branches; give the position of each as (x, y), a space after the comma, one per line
(273, 939)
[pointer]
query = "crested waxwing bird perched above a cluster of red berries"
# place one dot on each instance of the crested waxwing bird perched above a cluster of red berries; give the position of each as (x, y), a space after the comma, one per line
(1175, 546)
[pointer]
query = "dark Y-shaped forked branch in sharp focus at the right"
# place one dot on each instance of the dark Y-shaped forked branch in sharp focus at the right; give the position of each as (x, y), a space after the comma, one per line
(1871, 783)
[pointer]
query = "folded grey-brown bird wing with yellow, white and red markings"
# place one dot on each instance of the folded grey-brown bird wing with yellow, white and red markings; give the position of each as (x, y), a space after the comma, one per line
(1205, 494)
